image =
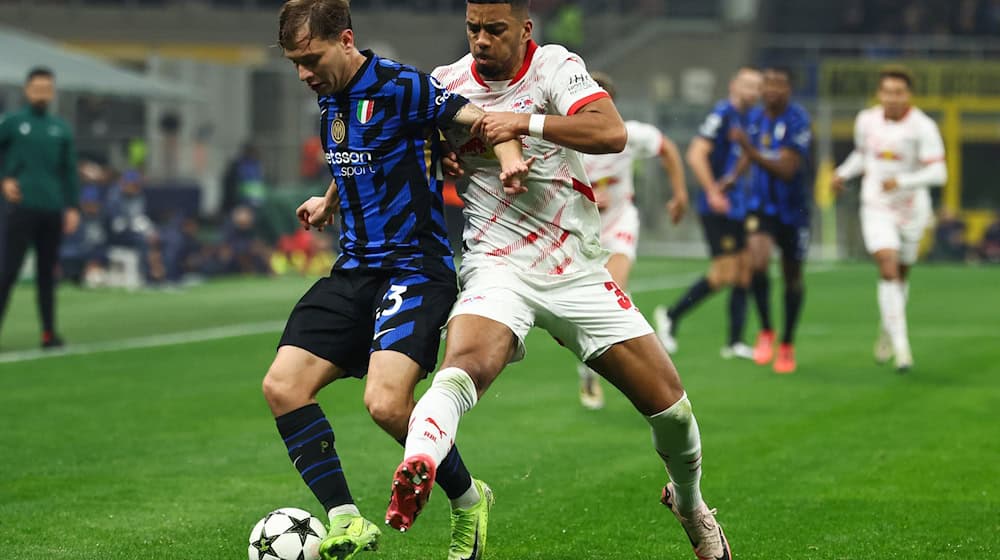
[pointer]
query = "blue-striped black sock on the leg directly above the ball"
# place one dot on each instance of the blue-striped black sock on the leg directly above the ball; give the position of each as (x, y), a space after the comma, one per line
(309, 439)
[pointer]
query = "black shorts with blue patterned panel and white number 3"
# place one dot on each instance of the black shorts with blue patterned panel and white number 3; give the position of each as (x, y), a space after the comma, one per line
(348, 315)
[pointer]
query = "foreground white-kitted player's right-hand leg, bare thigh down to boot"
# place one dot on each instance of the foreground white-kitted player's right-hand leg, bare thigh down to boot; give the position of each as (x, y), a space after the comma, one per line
(643, 372)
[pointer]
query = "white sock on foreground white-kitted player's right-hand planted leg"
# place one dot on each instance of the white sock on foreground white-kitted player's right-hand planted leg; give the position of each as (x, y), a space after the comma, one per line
(676, 438)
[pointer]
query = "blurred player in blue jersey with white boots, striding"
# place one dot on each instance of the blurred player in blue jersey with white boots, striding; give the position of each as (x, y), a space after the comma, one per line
(713, 156)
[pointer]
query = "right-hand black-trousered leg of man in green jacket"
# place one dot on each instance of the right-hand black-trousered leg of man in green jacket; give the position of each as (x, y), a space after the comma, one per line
(47, 240)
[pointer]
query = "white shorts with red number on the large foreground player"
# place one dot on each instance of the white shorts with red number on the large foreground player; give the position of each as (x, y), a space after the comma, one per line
(585, 312)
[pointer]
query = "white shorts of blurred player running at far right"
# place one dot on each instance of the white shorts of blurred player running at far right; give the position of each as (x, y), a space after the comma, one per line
(884, 228)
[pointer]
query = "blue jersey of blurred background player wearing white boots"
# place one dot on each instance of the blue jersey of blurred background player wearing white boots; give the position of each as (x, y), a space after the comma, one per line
(725, 155)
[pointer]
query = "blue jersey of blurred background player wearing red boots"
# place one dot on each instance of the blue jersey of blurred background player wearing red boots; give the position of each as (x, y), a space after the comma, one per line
(789, 201)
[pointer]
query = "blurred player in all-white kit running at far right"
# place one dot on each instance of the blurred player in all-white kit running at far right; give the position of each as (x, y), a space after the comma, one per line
(899, 150)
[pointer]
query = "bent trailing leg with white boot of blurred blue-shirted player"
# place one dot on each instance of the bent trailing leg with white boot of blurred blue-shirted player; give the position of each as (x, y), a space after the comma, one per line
(721, 273)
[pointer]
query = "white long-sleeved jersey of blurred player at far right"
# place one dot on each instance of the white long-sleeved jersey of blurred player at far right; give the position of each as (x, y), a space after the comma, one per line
(891, 148)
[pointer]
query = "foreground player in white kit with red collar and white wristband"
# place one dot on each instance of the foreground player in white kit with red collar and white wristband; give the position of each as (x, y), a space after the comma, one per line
(536, 259)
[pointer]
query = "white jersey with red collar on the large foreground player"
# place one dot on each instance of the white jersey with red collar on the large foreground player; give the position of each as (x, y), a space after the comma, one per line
(553, 228)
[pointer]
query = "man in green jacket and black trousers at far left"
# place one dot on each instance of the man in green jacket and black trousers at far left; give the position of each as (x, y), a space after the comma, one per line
(39, 182)
